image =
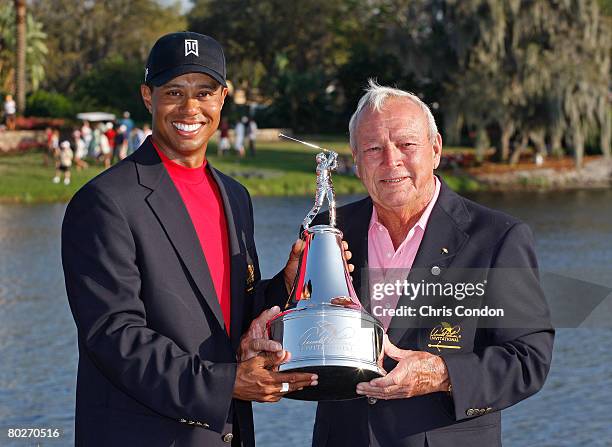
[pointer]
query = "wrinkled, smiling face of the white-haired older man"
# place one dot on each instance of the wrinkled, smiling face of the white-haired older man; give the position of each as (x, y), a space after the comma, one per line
(394, 155)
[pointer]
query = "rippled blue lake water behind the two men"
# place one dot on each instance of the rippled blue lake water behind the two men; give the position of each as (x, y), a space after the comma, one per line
(38, 359)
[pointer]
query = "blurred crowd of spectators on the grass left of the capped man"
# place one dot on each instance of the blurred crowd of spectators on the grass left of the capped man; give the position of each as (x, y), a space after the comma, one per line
(103, 142)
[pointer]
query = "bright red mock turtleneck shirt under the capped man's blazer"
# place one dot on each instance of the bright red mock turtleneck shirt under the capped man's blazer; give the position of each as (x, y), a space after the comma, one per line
(204, 204)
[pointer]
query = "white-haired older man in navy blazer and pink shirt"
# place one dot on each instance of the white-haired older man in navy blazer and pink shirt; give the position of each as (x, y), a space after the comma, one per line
(448, 377)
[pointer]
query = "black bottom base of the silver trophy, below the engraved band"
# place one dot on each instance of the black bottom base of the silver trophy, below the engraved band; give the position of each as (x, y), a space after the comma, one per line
(336, 382)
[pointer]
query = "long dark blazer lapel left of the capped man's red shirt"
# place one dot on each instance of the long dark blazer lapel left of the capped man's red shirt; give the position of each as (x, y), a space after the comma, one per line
(168, 206)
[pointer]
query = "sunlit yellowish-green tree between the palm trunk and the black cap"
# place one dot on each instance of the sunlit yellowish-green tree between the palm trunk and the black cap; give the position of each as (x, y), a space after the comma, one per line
(81, 34)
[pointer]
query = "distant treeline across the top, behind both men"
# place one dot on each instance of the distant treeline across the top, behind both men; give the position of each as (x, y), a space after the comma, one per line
(507, 73)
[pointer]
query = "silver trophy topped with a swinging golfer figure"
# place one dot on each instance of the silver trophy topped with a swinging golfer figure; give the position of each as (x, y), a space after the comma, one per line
(323, 324)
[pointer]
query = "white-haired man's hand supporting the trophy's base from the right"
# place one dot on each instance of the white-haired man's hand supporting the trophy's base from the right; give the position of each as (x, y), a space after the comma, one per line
(416, 373)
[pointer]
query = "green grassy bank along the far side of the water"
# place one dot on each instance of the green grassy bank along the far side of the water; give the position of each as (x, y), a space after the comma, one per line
(279, 168)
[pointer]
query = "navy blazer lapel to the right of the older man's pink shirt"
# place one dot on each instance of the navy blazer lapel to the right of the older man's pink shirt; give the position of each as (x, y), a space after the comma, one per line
(444, 231)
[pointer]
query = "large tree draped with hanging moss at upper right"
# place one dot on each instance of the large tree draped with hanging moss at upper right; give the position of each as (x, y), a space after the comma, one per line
(539, 70)
